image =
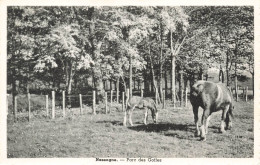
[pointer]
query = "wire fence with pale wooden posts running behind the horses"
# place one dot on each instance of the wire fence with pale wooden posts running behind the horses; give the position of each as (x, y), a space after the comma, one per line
(57, 105)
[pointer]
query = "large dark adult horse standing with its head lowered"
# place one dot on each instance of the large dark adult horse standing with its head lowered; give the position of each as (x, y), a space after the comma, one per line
(211, 97)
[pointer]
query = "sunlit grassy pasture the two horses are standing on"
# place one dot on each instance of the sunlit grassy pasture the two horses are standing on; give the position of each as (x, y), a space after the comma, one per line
(103, 135)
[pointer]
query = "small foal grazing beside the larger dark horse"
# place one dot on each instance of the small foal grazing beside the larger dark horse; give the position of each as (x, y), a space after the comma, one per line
(142, 103)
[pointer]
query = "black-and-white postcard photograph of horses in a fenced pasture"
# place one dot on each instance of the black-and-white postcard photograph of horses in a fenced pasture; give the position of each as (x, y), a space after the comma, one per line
(130, 83)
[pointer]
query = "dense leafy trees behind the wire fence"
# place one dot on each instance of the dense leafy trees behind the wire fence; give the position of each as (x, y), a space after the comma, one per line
(70, 48)
